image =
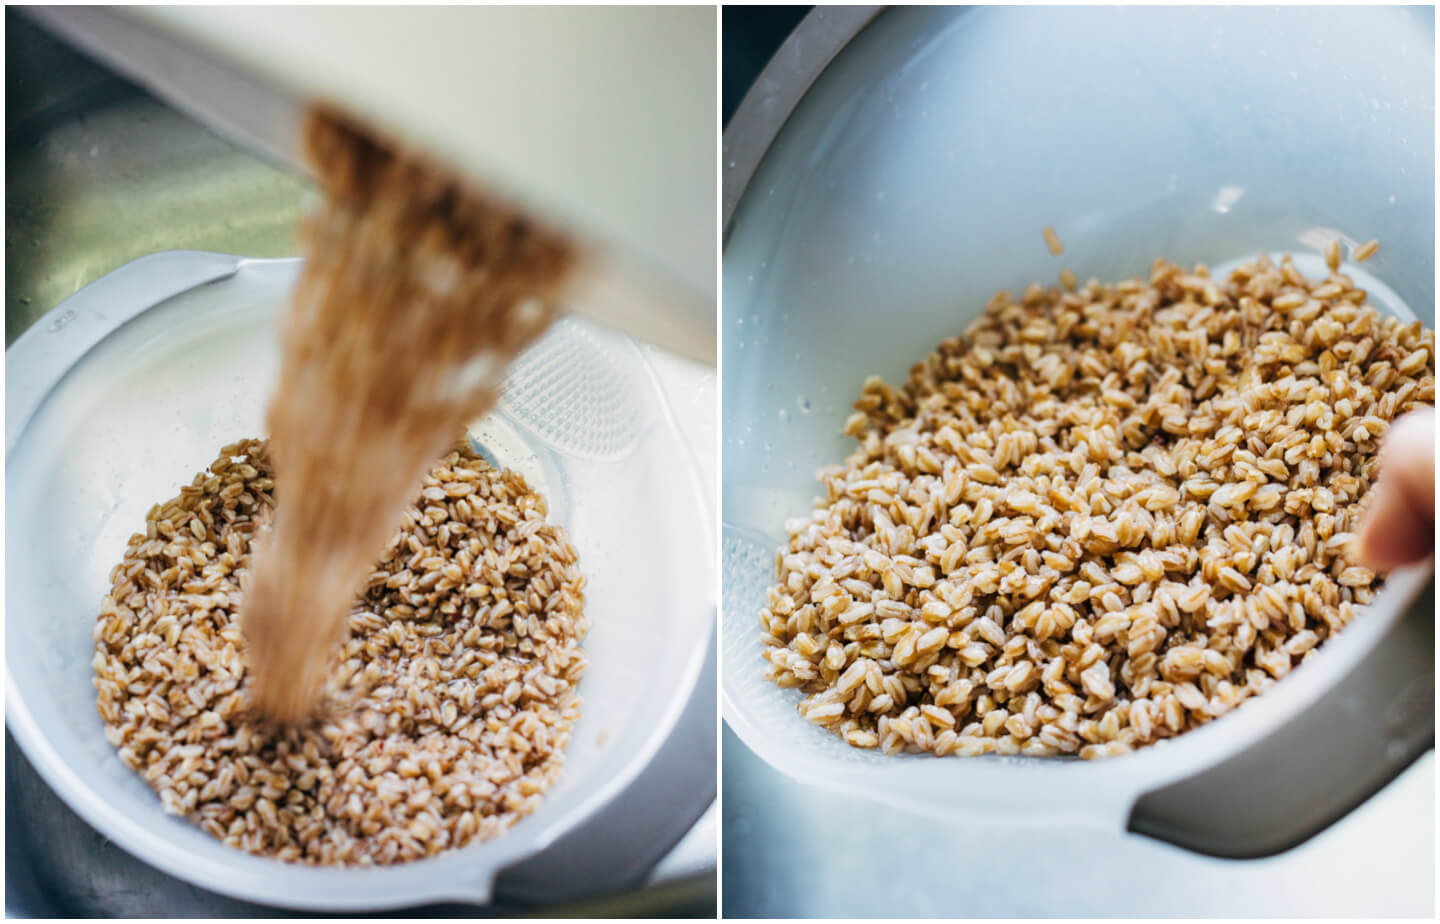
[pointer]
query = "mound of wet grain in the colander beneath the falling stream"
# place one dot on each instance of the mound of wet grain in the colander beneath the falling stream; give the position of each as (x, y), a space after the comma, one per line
(449, 709)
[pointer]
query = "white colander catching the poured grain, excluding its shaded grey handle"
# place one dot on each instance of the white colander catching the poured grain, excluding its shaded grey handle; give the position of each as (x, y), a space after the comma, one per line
(127, 389)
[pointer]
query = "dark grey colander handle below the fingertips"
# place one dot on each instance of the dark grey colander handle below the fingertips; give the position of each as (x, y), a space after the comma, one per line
(1311, 772)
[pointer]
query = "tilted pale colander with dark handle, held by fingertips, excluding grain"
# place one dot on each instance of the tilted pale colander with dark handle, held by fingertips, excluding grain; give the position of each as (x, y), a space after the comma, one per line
(914, 181)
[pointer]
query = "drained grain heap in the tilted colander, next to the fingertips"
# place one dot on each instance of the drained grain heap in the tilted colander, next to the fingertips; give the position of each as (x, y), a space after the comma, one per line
(1101, 519)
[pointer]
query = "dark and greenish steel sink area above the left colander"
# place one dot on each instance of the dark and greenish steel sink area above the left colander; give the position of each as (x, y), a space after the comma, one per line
(100, 173)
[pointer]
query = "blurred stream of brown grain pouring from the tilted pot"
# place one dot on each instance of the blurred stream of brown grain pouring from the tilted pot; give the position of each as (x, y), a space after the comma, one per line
(415, 296)
